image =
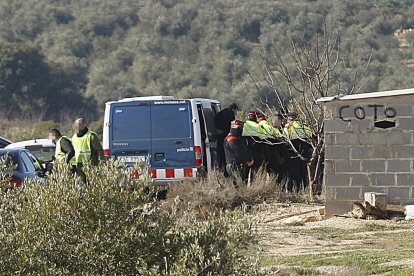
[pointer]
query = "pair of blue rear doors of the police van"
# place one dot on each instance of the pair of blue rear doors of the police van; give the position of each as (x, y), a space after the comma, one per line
(159, 130)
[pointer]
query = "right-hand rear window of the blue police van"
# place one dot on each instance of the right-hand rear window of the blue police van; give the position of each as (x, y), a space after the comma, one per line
(171, 121)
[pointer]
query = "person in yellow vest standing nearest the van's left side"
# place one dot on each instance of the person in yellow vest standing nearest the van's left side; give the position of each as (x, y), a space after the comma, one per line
(87, 146)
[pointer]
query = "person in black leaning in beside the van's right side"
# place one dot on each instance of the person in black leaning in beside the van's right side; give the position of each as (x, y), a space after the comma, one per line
(223, 120)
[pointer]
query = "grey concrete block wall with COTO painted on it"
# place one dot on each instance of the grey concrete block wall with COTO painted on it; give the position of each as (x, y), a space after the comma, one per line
(362, 157)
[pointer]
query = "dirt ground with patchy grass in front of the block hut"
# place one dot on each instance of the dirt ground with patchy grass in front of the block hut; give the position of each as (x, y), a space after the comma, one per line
(295, 240)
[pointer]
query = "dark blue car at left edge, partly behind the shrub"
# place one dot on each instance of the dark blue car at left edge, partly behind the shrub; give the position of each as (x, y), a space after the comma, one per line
(19, 165)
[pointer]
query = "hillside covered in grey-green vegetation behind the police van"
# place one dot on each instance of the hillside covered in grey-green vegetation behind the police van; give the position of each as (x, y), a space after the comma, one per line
(59, 59)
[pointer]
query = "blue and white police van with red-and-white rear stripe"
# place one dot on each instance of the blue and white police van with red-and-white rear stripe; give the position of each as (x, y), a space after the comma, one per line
(176, 137)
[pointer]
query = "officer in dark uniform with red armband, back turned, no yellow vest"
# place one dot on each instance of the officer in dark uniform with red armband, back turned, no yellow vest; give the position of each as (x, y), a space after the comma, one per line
(236, 152)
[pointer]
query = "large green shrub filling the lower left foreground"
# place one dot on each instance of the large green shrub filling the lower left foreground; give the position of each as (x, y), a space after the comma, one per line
(112, 225)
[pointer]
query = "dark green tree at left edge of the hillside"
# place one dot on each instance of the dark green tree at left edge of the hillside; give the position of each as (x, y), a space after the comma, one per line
(31, 88)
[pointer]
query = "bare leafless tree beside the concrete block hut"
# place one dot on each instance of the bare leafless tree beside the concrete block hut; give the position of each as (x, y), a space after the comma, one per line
(311, 70)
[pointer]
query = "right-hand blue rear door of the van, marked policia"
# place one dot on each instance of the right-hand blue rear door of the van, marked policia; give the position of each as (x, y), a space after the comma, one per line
(172, 134)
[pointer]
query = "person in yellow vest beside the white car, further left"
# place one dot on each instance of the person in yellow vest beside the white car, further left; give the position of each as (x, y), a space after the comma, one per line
(64, 149)
